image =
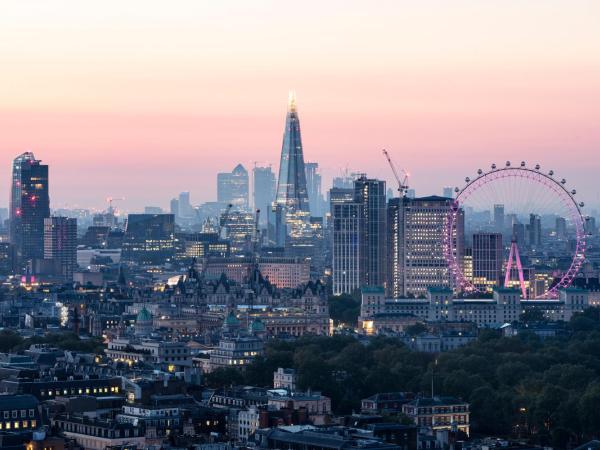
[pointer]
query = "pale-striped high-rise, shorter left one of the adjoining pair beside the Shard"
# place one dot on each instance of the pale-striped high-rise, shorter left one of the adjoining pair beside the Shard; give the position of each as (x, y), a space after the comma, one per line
(348, 224)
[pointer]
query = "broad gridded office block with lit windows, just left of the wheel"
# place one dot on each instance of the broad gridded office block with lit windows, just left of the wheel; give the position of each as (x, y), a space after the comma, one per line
(417, 229)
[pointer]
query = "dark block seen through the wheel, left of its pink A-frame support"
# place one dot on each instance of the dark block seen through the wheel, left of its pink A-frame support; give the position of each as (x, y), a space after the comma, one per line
(487, 260)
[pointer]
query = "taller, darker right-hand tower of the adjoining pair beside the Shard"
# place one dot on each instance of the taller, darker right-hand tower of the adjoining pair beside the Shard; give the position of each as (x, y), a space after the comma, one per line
(370, 193)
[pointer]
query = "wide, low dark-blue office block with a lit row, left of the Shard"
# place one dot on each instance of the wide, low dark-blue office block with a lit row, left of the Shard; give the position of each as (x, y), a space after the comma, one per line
(149, 238)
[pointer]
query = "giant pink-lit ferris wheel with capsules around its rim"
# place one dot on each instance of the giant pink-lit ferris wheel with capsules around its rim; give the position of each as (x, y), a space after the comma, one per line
(517, 201)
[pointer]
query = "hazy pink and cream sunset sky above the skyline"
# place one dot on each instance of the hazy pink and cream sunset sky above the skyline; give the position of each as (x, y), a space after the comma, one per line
(143, 99)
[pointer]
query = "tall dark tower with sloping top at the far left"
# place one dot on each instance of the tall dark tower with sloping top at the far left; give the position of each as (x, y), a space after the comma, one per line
(29, 206)
